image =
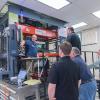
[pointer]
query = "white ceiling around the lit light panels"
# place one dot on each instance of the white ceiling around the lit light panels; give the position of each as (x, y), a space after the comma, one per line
(77, 11)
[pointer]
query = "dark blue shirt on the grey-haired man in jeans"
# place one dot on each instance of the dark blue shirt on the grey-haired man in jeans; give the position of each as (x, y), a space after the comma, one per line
(85, 73)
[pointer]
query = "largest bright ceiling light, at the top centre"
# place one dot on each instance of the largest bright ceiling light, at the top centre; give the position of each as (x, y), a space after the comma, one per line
(57, 4)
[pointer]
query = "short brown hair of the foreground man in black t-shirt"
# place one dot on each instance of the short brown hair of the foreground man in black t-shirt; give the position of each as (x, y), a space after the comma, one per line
(66, 48)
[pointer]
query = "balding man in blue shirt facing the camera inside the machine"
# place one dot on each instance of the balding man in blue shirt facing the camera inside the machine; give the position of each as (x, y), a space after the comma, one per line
(30, 46)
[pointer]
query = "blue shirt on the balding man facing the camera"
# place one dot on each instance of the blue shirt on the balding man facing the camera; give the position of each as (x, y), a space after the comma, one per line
(30, 48)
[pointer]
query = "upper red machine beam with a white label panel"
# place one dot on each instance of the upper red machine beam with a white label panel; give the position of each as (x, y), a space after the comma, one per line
(30, 30)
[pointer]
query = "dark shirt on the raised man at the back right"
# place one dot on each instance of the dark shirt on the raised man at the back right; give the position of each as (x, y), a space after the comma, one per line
(74, 40)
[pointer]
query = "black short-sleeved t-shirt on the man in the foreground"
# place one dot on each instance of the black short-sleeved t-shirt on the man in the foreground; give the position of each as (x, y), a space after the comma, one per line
(65, 74)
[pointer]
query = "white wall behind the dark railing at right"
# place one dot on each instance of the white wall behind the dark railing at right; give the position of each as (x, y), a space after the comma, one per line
(90, 42)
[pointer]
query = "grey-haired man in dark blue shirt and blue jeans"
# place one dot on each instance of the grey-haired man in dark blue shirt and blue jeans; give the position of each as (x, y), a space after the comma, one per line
(88, 83)
